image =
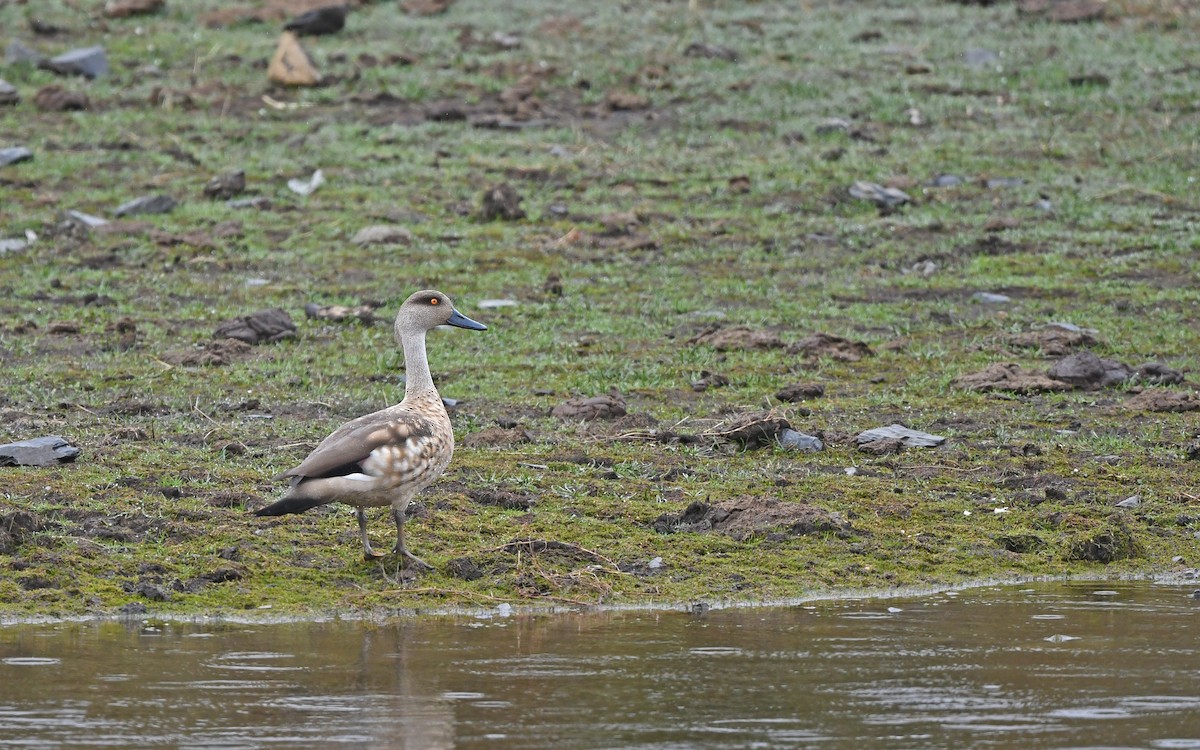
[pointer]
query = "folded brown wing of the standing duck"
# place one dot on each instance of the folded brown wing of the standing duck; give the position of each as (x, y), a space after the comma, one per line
(345, 451)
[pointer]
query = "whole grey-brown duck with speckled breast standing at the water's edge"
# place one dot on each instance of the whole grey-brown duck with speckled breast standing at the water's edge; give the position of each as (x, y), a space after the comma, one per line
(386, 458)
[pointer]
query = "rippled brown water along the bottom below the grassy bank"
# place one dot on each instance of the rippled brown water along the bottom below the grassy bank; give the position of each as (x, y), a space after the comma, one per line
(1034, 667)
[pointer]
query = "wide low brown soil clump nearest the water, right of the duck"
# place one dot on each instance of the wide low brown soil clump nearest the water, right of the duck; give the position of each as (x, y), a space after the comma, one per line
(752, 517)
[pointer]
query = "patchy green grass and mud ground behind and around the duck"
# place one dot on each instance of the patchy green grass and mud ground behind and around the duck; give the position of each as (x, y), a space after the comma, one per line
(713, 247)
